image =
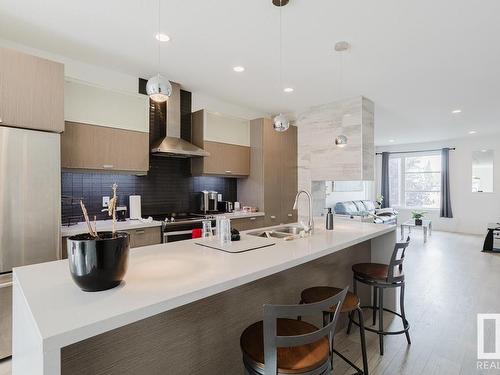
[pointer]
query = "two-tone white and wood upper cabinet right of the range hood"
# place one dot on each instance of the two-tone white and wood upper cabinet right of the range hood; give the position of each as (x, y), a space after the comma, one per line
(227, 141)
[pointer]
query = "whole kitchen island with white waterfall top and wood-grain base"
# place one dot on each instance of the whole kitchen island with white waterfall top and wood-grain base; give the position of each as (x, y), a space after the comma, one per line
(182, 306)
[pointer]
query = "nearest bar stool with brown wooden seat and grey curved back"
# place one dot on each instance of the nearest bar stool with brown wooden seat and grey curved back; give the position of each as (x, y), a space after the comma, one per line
(280, 345)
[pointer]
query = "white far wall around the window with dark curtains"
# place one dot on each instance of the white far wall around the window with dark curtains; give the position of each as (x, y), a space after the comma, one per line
(471, 211)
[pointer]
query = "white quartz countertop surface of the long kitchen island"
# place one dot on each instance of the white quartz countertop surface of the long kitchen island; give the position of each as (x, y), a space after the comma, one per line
(163, 277)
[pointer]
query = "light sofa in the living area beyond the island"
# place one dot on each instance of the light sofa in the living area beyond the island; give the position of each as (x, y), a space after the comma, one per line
(366, 211)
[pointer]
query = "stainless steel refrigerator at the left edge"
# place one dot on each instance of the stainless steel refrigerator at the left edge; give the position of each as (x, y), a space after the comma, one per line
(30, 210)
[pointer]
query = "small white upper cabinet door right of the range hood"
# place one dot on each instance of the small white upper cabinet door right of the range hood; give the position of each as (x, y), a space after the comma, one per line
(226, 129)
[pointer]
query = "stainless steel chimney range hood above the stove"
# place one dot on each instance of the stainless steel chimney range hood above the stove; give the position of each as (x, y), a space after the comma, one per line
(172, 145)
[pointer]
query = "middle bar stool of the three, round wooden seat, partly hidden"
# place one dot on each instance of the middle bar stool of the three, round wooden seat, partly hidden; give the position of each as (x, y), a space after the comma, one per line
(351, 304)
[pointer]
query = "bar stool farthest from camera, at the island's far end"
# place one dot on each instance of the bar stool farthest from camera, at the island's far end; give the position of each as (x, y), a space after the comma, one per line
(380, 277)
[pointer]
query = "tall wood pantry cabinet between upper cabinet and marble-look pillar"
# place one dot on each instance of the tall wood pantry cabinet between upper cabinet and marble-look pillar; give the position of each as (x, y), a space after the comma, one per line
(272, 183)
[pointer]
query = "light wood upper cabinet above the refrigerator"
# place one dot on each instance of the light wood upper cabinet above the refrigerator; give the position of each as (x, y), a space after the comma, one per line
(31, 92)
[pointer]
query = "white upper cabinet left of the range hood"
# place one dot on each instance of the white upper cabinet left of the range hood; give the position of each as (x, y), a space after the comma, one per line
(89, 104)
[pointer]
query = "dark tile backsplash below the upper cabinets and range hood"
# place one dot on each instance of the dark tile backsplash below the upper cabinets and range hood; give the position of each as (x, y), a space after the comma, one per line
(168, 187)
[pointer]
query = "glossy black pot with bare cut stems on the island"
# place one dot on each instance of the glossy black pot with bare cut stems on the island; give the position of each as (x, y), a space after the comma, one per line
(98, 260)
